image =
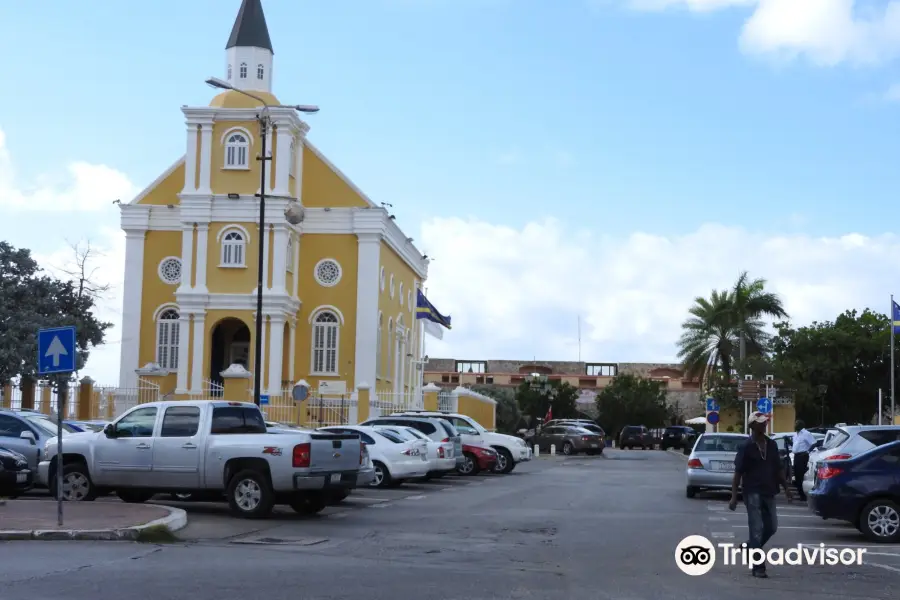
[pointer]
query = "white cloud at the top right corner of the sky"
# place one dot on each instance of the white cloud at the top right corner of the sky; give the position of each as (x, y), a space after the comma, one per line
(827, 32)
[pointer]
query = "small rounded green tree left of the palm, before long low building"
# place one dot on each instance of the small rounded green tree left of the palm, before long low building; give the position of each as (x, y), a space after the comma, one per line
(632, 400)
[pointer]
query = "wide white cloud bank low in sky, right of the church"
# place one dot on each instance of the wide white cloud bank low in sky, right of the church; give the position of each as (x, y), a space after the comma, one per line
(518, 293)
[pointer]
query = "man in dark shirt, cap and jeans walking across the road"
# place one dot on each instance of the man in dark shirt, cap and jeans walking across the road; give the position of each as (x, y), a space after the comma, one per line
(758, 472)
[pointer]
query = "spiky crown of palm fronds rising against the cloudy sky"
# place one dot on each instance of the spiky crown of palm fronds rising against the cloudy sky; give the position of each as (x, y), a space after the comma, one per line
(712, 335)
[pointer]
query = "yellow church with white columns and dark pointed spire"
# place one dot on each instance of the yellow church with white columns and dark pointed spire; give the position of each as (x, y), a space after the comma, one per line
(339, 287)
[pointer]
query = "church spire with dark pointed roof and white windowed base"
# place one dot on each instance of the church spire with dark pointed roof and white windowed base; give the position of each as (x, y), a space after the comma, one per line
(249, 50)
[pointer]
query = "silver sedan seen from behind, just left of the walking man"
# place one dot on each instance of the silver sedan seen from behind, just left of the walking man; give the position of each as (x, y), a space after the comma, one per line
(711, 463)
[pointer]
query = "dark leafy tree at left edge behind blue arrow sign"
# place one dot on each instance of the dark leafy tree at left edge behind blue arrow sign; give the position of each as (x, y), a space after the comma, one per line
(32, 300)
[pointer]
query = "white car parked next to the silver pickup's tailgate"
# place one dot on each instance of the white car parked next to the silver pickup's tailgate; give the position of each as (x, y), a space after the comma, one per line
(394, 460)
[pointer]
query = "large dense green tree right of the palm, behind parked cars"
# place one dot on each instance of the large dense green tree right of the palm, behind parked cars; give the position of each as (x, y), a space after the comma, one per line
(848, 359)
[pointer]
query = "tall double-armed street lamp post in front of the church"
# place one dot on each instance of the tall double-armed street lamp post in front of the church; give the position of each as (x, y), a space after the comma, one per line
(264, 124)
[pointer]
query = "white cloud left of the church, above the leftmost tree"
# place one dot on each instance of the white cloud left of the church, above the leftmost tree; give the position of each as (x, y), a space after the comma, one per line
(87, 187)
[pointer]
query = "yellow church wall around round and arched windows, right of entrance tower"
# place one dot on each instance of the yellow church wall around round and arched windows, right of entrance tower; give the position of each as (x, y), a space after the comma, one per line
(313, 248)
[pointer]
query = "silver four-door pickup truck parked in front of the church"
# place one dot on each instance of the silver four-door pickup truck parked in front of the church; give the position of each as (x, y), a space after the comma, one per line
(203, 448)
